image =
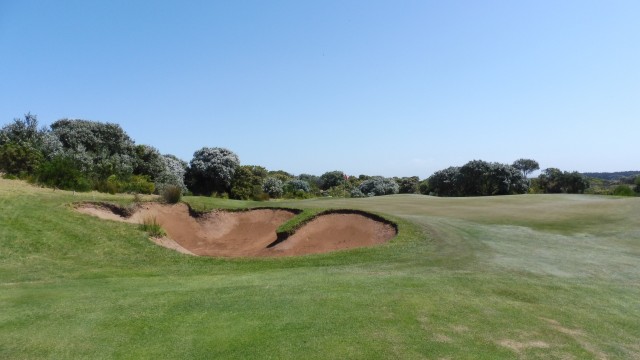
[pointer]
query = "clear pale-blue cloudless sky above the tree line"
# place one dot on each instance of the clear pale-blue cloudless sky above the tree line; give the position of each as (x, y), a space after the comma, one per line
(393, 88)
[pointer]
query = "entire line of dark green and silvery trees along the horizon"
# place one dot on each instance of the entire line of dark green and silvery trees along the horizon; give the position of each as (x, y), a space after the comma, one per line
(87, 155)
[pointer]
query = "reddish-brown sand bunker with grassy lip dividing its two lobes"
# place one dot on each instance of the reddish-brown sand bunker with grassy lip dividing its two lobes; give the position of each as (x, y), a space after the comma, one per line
(250, 233)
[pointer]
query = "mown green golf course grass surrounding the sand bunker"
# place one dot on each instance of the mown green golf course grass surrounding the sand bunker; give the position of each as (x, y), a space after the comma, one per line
(530, 277)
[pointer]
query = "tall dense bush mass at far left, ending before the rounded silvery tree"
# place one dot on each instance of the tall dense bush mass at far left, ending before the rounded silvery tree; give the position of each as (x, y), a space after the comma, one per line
(83, 155)
